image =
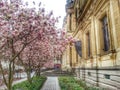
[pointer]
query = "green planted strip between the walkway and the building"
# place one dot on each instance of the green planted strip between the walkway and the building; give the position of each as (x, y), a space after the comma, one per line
(70, 83)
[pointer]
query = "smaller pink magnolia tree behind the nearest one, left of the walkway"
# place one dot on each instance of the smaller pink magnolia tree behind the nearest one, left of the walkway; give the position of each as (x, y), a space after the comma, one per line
(35, 56)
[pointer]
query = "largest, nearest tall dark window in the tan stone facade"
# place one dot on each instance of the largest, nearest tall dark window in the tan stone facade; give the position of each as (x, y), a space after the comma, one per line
(105, 33)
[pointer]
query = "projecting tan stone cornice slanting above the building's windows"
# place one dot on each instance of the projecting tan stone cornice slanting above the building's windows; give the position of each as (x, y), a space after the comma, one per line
(90, 9)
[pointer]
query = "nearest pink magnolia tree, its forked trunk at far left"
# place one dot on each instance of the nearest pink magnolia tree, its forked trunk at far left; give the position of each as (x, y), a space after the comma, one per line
(18, 28)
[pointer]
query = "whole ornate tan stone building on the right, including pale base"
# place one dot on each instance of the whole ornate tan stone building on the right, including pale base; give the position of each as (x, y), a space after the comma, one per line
(95, 56)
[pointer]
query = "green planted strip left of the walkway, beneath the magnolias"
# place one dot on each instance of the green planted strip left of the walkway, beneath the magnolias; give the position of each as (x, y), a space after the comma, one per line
(37, 83)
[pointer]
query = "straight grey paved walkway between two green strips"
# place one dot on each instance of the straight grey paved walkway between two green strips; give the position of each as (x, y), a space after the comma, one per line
(51, 84)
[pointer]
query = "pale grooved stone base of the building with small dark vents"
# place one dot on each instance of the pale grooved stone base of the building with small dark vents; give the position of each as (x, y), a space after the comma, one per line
(107, 78)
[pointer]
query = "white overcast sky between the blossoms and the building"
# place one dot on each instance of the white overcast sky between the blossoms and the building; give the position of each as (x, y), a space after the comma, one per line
(57, 6)
